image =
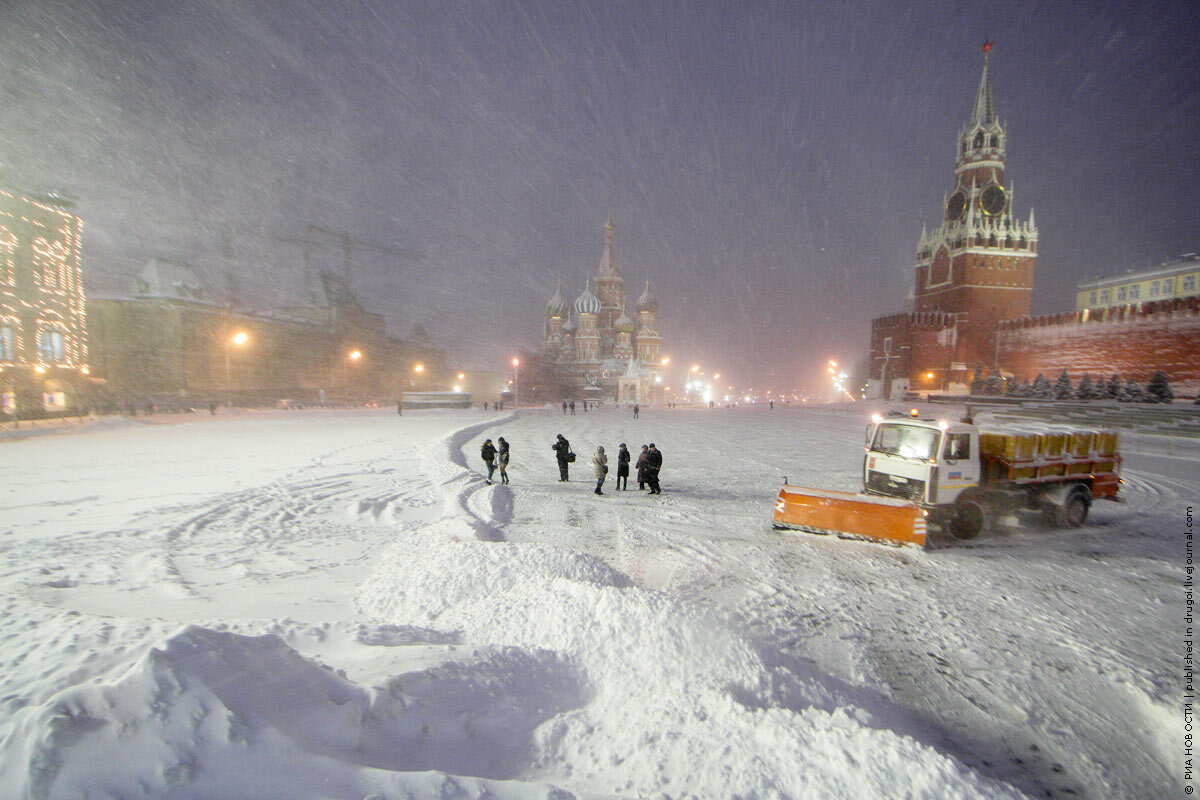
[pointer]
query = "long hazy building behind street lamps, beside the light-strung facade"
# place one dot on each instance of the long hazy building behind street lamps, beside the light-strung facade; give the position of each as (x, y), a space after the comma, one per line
(170, 346)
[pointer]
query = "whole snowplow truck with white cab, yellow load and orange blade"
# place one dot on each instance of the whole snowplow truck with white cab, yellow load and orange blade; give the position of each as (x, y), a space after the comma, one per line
(959, 477)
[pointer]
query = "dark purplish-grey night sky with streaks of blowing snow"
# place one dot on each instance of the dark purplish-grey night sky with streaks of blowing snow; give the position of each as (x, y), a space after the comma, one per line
(770, 165)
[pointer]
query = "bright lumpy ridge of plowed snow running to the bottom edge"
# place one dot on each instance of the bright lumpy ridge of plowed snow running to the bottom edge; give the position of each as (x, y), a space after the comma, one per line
(740, 724)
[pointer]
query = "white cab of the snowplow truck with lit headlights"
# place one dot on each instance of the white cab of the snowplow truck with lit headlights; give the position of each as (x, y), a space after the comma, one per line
(931, 462)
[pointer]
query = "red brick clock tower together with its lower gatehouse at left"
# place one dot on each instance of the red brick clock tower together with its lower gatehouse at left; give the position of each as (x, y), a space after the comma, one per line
(973, 272)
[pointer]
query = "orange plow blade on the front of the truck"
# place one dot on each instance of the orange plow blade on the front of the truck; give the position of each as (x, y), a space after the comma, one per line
(855, 516)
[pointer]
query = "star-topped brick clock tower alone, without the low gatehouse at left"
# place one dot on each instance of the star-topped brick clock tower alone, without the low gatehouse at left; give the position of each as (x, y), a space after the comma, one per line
(979, 263)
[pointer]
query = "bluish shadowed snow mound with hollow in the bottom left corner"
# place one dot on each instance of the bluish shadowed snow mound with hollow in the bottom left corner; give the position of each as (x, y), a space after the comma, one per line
(211, 714)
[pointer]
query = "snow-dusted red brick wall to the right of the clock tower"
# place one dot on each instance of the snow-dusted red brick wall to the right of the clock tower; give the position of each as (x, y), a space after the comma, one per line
(1130, 341)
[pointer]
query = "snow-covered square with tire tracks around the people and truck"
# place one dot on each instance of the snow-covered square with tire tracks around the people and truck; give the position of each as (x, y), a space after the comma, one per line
(335, 605)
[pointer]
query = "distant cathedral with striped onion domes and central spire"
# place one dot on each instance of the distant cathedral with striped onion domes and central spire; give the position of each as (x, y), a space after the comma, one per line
(603, 338)
